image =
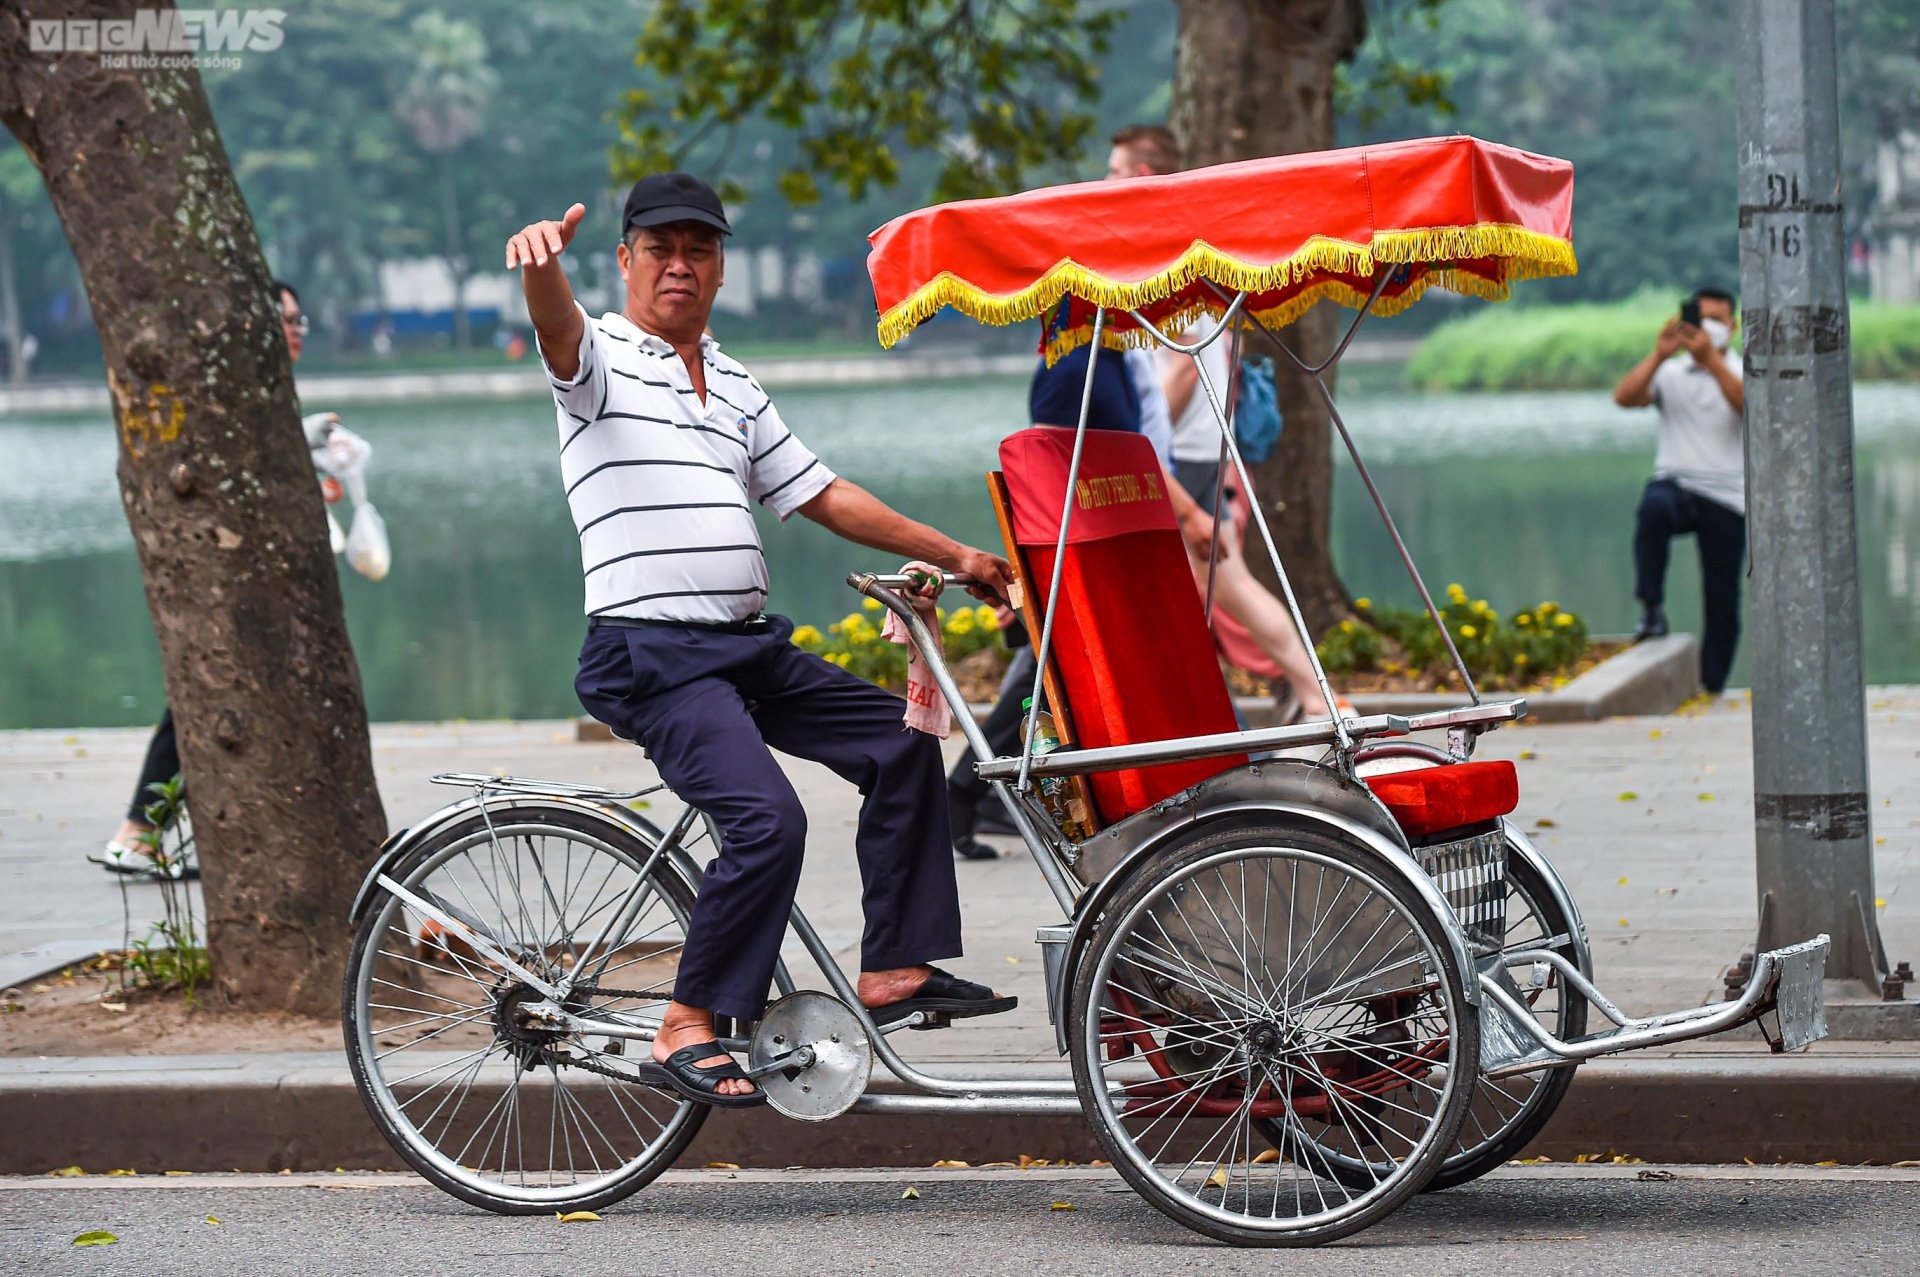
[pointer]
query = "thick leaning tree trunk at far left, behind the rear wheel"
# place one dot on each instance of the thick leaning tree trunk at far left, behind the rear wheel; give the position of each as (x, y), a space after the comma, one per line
(222, 500)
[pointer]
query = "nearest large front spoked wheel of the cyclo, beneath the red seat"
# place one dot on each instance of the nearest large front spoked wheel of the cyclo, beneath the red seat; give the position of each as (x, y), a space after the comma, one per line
(1272, 975)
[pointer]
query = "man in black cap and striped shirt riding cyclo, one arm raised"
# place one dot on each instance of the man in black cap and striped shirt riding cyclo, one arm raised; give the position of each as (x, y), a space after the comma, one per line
(663, 445)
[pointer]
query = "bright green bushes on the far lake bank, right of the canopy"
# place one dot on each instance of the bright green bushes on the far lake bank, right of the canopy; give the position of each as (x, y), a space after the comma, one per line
(1591, 347)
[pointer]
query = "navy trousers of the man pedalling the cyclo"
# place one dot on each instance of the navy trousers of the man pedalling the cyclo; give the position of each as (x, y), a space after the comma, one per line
(711, 706)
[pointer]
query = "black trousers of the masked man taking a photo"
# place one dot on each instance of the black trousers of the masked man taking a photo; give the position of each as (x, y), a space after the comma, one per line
(1668, 512)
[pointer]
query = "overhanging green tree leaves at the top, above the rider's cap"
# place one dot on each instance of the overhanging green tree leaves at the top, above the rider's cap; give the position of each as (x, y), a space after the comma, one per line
(997, 89)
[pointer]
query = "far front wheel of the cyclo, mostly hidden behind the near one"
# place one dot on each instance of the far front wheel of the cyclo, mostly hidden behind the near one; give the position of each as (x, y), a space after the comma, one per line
(1506, 1113)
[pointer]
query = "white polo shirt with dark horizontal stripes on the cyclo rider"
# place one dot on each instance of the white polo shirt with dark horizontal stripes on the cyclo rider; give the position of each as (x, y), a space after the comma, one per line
(661, 483)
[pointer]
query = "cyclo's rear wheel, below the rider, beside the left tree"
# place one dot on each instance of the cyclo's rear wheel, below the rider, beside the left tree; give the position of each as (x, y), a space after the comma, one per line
(475, 1097)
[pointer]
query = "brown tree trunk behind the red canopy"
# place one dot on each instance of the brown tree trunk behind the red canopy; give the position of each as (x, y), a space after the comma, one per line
(1255, 78)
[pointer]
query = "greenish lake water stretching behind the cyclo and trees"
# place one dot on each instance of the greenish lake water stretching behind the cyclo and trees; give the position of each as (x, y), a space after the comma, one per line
(1520, 498)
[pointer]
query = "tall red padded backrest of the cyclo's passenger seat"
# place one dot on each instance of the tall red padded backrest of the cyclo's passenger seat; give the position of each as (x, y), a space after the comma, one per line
(1130, 648)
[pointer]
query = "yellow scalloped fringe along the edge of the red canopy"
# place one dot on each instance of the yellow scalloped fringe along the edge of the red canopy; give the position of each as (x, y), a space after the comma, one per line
(1529, 254)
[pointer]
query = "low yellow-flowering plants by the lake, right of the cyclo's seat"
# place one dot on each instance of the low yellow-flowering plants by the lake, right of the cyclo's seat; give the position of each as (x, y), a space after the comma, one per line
(1541, 642)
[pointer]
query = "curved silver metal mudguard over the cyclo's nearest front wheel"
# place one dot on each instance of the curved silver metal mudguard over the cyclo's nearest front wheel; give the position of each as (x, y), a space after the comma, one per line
(1285, 788)
